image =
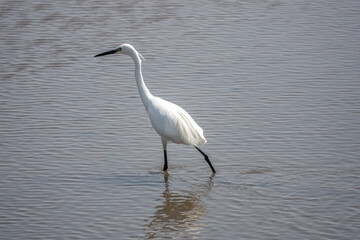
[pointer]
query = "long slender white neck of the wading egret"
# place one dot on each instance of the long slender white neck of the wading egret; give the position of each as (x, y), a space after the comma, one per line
(143, 90)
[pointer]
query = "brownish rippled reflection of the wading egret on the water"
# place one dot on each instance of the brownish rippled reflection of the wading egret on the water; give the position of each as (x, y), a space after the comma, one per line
(179, 213)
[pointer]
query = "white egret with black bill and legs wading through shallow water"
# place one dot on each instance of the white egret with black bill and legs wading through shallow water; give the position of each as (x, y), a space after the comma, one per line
(170, 121)
